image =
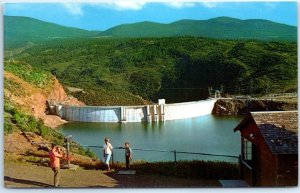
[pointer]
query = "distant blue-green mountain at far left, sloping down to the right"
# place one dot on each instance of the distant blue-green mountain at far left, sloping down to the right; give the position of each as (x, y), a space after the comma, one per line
(21, 31)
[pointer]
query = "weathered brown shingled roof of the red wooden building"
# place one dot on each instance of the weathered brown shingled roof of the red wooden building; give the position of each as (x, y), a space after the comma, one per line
(278, 128)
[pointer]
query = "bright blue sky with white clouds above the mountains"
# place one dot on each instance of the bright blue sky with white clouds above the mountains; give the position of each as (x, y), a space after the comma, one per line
(101, 16)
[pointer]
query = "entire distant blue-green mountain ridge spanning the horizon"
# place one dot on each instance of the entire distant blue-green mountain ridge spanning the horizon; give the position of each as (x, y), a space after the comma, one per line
(19, 31)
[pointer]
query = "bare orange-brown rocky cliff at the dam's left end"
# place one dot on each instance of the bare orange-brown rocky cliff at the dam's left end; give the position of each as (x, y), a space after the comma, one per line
(34, 100)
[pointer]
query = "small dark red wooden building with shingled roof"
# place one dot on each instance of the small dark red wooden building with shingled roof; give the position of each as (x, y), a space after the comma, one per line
(269, 154)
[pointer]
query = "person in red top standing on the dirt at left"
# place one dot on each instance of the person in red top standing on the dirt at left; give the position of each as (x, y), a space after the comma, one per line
(54, 155)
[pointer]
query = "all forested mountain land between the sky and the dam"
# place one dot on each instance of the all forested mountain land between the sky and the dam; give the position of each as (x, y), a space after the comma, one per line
(126, 66)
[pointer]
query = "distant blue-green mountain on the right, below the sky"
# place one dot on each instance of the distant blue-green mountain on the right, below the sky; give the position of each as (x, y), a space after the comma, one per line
(221, 28)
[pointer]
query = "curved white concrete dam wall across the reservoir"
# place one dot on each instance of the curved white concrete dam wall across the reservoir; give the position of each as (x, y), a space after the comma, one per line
(136, 113)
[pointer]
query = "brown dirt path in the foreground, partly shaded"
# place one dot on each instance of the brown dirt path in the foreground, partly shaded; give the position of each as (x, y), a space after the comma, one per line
(27, 175)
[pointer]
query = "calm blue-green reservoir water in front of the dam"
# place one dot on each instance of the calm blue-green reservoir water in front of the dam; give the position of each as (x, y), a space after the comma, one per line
(205, 134)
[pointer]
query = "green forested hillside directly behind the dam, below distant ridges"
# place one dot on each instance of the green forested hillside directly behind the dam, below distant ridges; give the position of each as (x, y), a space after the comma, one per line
(114, 71)
